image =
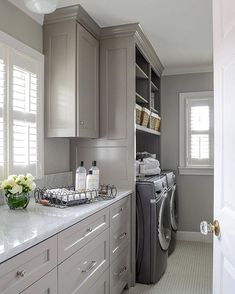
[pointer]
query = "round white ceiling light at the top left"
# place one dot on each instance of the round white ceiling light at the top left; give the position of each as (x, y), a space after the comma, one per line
(41, 6)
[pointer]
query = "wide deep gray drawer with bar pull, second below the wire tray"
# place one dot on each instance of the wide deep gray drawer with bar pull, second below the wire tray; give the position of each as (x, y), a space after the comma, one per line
(80, 271)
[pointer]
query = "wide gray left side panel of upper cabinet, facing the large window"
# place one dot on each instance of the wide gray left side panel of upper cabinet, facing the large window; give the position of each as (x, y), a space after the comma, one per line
(60, 79)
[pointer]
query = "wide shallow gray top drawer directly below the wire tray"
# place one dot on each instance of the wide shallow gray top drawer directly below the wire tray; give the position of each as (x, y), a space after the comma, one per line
(75, 237)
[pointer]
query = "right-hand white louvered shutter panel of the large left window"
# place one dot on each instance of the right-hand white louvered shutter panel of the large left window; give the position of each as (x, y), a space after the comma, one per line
(25, 125)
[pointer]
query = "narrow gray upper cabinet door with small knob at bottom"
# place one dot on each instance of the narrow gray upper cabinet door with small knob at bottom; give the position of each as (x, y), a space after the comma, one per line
(87, 84)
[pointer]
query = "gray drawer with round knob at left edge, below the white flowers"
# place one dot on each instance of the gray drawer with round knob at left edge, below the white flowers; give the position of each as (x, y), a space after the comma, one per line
(26, 268)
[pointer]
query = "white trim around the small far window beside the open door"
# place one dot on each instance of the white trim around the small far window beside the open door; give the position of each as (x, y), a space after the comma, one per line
(183, 168)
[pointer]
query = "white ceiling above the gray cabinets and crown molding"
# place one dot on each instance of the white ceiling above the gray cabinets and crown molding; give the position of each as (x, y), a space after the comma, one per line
(179, 30)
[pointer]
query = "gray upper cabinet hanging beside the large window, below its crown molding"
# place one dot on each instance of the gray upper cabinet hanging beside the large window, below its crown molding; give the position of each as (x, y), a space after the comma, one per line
(71, 79)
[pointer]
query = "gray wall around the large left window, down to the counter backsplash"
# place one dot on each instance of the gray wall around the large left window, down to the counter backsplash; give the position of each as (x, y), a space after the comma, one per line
(20, 26)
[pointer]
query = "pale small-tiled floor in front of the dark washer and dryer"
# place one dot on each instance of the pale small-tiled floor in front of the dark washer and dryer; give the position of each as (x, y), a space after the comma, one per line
(189, 271)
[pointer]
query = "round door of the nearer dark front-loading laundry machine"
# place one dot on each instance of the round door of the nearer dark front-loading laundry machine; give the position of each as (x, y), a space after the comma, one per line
(164, 227)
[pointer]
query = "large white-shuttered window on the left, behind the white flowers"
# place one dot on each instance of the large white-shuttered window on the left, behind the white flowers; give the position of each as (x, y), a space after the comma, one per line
(21, 108)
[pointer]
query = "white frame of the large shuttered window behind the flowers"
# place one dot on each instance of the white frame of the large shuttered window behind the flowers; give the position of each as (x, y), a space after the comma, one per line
(13, 45)
